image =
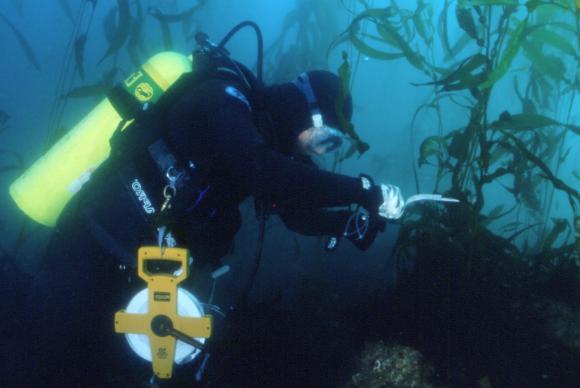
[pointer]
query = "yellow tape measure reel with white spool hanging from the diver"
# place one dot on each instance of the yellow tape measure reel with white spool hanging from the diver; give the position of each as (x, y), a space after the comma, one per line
(159, 315)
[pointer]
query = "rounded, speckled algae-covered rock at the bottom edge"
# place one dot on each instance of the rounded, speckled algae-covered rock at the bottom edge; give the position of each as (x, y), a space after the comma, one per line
(382, 366)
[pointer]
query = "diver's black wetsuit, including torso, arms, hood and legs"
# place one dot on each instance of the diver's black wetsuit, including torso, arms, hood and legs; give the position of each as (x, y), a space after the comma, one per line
(73, 298)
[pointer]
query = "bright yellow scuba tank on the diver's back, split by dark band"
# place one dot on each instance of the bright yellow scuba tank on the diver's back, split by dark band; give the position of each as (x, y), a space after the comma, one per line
(48, 185)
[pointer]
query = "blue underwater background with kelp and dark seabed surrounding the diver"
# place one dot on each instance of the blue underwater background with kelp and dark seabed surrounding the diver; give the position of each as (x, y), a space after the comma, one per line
(474, 99)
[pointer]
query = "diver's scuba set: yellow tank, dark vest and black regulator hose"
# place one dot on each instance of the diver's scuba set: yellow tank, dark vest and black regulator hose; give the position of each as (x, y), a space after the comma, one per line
(113, 151)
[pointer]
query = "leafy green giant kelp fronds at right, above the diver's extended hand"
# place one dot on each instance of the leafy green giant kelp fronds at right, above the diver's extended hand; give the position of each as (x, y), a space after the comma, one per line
(486, 148)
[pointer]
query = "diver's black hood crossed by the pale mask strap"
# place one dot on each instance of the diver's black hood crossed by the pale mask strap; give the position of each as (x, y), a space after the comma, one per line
(291, 113)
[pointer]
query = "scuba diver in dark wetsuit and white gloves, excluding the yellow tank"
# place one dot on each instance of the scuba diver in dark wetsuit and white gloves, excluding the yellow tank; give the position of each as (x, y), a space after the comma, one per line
(215, 139)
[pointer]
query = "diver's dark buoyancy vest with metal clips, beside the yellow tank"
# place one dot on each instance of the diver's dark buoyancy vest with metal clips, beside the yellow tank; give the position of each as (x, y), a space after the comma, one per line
(145, 190)
